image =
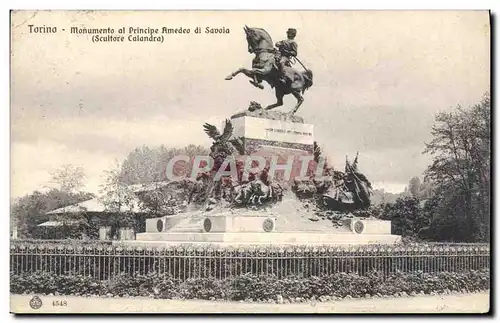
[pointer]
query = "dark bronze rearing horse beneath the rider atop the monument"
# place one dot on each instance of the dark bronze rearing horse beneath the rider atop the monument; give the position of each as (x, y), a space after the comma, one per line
(264, 69)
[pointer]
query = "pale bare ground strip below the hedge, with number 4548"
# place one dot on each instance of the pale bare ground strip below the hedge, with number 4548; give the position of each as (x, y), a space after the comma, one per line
(461, 303)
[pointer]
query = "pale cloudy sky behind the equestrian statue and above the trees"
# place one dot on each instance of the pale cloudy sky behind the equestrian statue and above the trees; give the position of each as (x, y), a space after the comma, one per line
(379, 79)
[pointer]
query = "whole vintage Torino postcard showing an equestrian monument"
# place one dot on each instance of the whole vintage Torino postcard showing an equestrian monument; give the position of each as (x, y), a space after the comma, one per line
(250, 162)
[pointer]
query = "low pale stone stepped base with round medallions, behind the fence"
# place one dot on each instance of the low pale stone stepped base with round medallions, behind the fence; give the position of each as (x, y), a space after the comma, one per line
(241, 230)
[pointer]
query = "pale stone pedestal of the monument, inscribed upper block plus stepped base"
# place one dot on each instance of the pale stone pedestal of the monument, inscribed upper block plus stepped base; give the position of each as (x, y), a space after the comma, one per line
(267, 134)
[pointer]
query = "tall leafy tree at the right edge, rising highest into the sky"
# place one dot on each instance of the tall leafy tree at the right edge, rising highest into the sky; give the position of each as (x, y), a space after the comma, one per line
(461, 167)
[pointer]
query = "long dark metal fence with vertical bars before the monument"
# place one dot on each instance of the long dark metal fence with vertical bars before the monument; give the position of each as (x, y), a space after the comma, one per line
(104, 261)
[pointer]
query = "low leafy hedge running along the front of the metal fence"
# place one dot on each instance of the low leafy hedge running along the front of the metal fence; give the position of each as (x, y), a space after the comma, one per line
(253, 287)
